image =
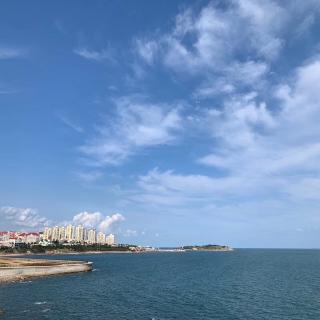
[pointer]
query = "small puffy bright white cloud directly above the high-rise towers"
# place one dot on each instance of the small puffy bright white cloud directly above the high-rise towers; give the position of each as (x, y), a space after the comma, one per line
(97, 220)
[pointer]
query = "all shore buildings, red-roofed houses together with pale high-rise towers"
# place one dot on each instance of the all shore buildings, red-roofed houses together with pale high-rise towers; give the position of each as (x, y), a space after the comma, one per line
(69, 234)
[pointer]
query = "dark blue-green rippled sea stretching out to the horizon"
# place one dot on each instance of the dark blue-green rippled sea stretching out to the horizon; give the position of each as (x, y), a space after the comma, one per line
(244, 284)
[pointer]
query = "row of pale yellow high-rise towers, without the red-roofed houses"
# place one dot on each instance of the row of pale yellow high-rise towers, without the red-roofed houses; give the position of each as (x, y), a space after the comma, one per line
(77, 234)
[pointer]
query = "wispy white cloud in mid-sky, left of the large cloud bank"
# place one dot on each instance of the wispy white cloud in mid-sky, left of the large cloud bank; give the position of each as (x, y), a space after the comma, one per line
(135, 126)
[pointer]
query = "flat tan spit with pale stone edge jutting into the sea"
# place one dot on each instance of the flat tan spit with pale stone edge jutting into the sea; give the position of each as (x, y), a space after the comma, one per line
(19, 269)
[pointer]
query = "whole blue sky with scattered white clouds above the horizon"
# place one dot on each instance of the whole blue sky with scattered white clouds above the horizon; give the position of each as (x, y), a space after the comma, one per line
(165, 122)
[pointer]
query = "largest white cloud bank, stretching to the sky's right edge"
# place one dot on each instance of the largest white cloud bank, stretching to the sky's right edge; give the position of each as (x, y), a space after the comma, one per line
(259, 151)
